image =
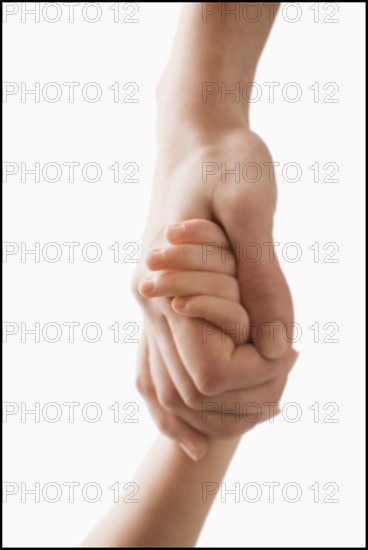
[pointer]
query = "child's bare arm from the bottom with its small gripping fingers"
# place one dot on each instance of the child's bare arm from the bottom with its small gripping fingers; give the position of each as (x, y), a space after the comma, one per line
(175, 494)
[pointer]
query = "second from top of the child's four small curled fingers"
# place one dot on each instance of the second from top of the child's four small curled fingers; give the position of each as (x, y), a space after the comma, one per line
(193, 257)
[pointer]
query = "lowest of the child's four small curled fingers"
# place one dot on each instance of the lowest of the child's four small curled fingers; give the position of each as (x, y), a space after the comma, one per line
(228, 316)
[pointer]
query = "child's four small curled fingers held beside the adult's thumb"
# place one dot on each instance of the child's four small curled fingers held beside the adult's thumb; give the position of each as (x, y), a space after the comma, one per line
(199, 277)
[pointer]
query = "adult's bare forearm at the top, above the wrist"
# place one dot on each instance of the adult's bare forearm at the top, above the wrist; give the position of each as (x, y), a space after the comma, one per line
(216, 51)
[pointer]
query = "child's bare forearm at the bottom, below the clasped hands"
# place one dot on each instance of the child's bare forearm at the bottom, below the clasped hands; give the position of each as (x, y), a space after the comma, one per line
(172, 504)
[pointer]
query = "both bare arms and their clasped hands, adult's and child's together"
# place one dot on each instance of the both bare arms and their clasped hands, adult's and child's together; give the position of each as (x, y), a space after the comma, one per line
(177, 370)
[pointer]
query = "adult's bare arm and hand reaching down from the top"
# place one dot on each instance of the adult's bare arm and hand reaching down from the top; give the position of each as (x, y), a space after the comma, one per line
(191, 132)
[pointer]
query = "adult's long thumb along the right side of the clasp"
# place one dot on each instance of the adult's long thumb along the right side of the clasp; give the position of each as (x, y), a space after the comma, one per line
(263, 287)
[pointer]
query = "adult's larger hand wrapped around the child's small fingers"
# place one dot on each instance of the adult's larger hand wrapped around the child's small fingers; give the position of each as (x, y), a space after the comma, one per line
(176, 369)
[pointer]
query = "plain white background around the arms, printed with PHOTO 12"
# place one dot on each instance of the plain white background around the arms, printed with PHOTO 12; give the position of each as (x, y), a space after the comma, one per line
(306, 452)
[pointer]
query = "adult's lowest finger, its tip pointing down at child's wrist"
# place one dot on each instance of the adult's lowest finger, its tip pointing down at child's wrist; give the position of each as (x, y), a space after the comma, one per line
(194, 443)
